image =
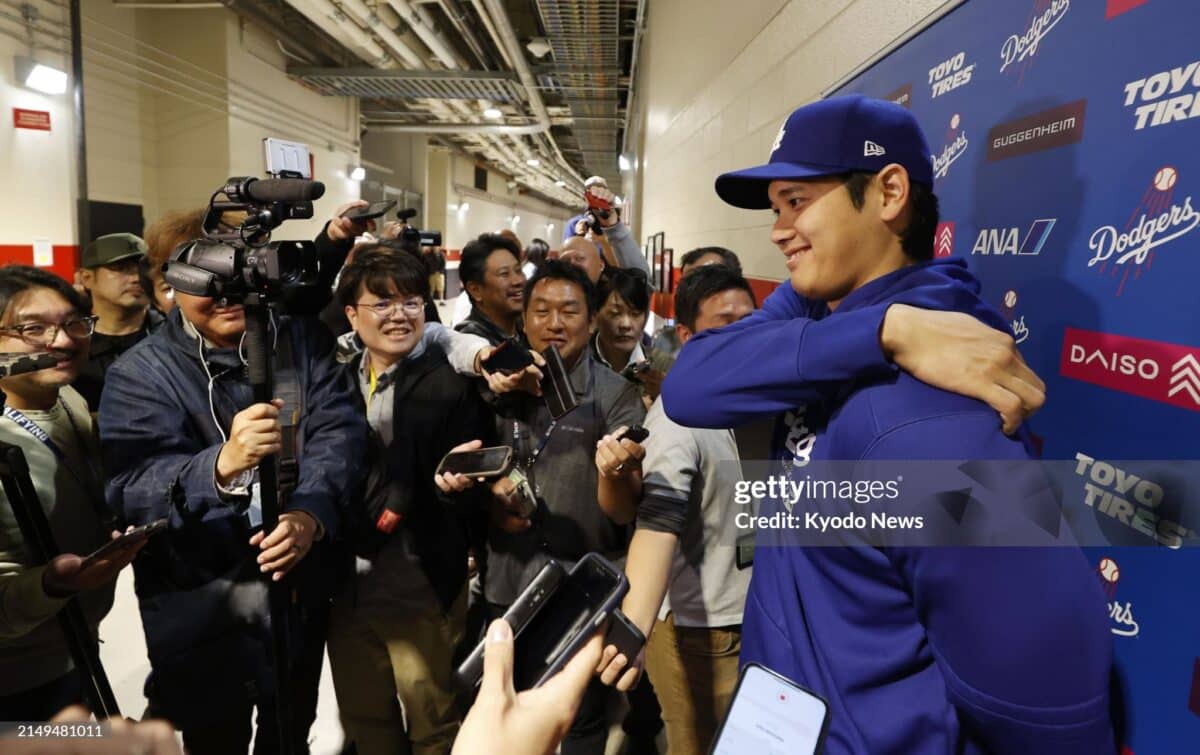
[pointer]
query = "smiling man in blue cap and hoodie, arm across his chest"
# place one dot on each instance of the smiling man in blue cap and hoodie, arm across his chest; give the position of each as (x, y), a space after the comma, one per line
(892, 638)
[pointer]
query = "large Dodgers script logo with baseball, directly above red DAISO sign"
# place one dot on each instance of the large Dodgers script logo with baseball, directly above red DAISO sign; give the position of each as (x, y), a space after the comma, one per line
(1160, 221)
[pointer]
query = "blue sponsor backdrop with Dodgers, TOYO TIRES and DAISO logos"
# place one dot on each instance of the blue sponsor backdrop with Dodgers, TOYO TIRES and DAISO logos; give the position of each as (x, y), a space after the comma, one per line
(1065, 137)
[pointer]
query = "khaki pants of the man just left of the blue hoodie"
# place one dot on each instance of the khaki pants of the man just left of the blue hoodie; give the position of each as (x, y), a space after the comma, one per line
(694, 672)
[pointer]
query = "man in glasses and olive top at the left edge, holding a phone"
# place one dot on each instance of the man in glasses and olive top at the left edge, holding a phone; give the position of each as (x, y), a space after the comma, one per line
(51, 424)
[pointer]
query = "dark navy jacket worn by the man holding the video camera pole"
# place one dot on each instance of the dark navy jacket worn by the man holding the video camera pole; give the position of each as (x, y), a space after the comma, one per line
(201, 595)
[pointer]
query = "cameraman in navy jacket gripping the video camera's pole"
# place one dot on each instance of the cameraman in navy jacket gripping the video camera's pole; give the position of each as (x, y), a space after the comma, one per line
(183, 439)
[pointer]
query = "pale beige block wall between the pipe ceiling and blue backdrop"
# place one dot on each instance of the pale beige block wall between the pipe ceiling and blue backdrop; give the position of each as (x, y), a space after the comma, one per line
(715, 88)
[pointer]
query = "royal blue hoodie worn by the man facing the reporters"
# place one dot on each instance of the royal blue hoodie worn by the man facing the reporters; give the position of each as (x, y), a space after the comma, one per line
(916, 650)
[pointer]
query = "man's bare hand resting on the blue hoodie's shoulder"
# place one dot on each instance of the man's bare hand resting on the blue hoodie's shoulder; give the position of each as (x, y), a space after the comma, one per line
(958, 353)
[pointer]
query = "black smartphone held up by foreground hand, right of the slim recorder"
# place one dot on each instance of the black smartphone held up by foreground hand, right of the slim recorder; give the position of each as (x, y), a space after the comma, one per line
(591, 590)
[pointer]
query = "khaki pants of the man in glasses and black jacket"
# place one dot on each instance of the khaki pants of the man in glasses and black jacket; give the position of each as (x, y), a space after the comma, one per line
(383, 663)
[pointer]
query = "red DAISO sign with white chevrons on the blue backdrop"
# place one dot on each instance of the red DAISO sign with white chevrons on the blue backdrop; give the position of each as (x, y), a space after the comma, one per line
(1166, 373)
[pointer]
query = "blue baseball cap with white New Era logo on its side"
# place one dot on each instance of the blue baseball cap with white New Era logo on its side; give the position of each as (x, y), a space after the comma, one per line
(835, 136)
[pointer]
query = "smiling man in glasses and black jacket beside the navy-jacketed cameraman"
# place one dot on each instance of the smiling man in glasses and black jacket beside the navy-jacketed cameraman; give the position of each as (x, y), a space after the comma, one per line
(397, 626)
